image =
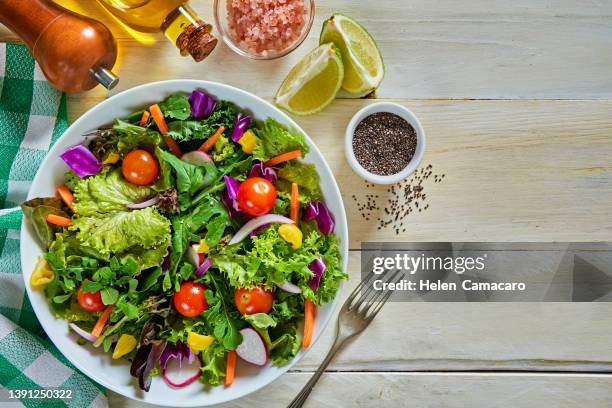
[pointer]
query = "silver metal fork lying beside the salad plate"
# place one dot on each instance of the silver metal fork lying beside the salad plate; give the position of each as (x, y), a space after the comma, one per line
(361, 307)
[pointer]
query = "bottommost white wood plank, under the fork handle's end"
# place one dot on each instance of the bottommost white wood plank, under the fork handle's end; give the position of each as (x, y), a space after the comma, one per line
(428, 390)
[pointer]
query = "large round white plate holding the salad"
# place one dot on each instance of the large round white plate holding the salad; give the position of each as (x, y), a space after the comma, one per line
(95, 363)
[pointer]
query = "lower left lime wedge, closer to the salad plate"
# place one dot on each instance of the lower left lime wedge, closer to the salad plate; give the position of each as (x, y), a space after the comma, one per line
(313, 83)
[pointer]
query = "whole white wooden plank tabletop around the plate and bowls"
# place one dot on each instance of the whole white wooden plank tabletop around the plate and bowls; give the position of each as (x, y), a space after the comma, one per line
(516, 100)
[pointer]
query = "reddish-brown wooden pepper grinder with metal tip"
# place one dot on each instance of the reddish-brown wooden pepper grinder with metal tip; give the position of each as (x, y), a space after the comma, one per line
(74, 52)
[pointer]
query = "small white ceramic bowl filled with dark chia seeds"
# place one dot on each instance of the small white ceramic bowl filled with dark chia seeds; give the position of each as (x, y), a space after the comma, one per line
(401, 156)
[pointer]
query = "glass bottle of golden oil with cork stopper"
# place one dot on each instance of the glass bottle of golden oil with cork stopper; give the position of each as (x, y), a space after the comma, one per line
(175, 18)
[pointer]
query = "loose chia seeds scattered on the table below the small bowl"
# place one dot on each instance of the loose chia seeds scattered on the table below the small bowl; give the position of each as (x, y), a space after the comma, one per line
(402, 199)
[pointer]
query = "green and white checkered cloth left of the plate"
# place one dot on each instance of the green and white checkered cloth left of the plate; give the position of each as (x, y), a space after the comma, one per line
(32, 117)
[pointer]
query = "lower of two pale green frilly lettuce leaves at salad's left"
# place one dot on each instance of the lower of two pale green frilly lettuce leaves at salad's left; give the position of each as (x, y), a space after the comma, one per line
(119, 231)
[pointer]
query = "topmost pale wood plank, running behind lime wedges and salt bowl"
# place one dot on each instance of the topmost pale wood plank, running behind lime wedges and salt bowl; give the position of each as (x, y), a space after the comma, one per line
(483, 49)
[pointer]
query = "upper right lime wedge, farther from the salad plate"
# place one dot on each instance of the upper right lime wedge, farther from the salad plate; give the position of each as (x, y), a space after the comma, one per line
(364, 68)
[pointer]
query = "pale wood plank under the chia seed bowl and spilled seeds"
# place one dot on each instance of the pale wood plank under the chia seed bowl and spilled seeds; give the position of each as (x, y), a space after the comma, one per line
(515, 170)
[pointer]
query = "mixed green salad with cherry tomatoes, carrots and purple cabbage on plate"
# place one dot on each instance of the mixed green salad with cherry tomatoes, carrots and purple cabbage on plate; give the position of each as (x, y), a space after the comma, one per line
(185, 236)
